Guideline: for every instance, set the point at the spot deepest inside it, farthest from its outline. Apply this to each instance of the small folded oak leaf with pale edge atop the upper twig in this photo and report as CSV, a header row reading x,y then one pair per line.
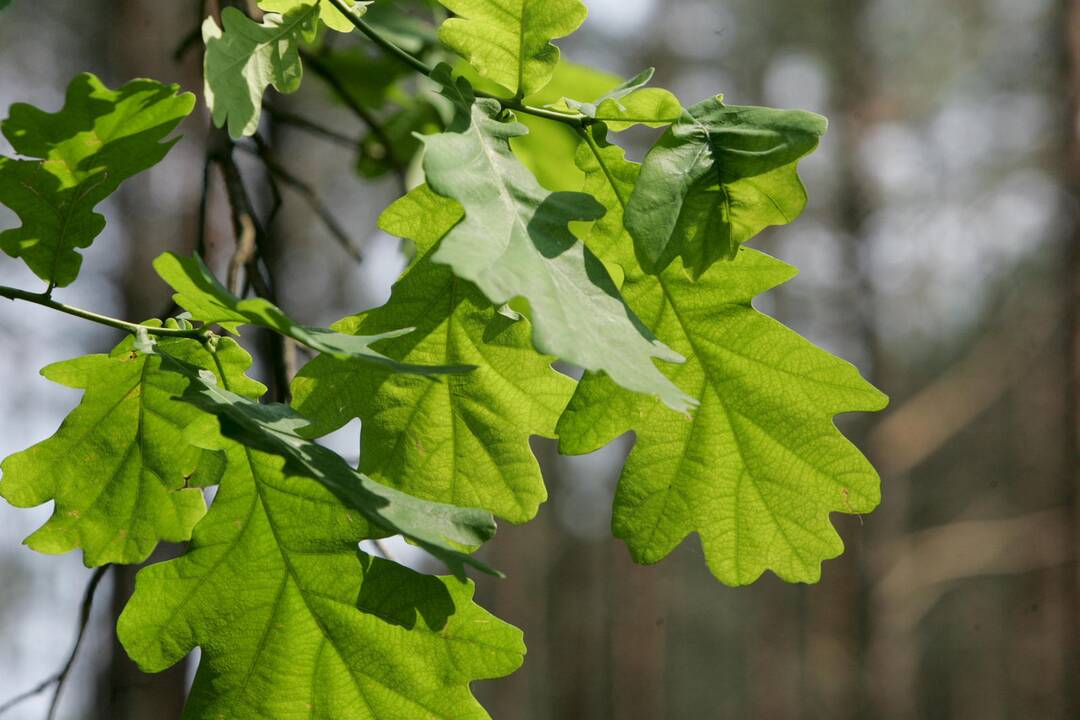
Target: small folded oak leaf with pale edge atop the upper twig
x,y
630,104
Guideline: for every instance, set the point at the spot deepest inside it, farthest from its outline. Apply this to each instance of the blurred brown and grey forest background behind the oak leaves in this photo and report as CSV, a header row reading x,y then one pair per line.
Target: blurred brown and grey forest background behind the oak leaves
x,y
940,254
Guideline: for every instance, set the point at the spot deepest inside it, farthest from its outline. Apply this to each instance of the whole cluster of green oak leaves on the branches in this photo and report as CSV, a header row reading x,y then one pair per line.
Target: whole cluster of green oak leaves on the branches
x,y
637,274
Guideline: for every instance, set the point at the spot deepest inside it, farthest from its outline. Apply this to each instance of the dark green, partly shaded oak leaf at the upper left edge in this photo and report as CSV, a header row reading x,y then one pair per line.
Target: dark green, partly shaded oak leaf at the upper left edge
x,y
75,159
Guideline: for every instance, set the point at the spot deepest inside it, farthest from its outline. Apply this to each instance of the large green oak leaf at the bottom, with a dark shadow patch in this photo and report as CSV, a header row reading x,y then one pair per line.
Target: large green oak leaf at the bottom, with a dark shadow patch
x,y
295,622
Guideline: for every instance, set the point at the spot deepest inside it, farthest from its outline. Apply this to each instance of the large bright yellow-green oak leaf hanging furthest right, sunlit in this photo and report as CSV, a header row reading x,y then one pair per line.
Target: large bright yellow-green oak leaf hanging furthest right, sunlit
x,y
761,466
